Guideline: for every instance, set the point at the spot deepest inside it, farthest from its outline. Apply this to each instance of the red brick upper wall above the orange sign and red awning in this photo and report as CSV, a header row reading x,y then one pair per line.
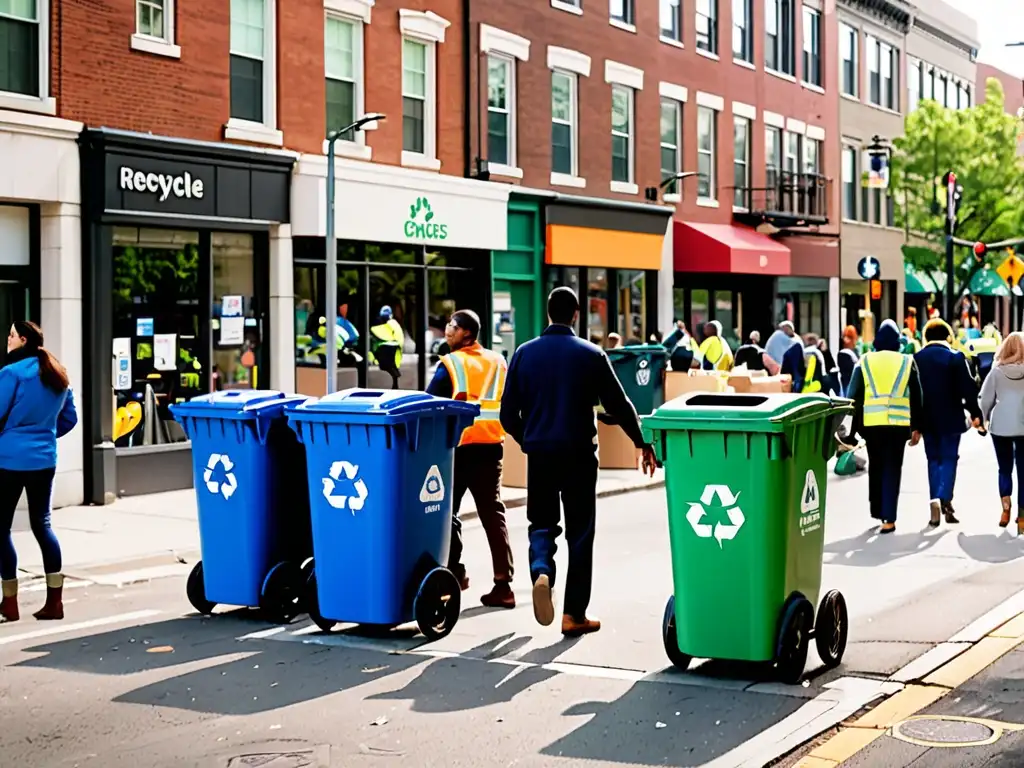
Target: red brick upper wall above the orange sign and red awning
x,y
591,34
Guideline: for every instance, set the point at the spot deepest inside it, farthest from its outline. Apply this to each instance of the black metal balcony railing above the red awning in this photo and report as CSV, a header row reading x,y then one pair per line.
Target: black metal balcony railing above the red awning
x,y
789,200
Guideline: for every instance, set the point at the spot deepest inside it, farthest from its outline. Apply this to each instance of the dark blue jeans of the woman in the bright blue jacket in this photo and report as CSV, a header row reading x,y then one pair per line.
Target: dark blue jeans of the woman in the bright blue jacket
x,y
38,486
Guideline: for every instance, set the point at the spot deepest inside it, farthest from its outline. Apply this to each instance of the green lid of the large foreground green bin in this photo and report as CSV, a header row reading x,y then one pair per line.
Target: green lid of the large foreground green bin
x,y
746,413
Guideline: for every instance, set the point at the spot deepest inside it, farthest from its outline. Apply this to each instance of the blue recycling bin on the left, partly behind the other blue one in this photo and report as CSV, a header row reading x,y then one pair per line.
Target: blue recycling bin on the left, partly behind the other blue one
x,y
250,481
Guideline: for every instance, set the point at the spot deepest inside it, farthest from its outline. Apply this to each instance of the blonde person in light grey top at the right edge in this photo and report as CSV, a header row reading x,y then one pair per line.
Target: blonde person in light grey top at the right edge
x,y
1003,411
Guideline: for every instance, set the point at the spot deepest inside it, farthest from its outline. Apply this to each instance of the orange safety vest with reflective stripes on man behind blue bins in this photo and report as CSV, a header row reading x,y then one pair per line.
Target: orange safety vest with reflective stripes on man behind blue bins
x,y
479,376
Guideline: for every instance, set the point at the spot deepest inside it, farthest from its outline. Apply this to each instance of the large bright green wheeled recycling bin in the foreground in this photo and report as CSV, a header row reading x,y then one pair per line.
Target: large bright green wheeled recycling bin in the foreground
x,y
746,484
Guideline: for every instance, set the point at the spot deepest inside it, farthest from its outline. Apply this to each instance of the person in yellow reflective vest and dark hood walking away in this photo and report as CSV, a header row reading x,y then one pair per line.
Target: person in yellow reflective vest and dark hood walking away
x,y
887,397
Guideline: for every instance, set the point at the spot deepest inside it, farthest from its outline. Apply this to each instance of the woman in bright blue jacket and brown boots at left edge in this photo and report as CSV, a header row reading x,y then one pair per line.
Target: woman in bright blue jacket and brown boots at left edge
x,y
36,408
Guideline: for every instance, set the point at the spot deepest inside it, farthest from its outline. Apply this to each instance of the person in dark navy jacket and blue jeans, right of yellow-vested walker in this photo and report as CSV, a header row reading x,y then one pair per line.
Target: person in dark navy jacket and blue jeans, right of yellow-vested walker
x,y
949,389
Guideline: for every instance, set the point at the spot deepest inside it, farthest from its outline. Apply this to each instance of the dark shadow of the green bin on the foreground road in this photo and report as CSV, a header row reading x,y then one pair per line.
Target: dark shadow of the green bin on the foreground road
x,y
669,726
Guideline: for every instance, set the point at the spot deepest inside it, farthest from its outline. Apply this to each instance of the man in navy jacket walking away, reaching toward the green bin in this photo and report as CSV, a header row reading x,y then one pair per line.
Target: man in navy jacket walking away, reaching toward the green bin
x,y
554,385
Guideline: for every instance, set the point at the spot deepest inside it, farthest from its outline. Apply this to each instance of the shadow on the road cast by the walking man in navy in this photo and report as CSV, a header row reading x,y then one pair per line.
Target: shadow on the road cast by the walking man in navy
x,y
439,688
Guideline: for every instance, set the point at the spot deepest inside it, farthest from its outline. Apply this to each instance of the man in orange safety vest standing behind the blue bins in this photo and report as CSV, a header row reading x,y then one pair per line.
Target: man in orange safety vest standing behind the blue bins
x,y
475,374
